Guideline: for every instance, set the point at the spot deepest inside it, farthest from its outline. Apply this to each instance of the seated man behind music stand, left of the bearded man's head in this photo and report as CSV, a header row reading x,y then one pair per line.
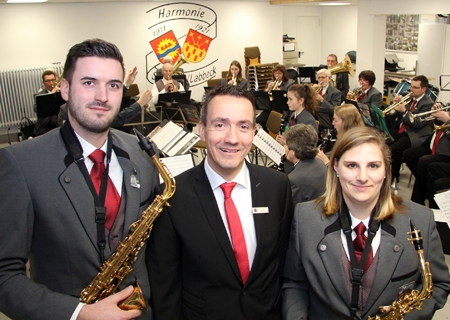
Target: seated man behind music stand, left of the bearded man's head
x,y
46,124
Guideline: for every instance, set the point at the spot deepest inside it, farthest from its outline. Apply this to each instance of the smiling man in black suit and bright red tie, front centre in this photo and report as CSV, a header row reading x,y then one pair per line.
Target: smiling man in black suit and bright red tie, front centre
x,y
198,267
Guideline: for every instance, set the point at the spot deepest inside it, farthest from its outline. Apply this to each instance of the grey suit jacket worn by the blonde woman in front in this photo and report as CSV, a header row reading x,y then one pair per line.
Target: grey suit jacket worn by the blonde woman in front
x,y
315,285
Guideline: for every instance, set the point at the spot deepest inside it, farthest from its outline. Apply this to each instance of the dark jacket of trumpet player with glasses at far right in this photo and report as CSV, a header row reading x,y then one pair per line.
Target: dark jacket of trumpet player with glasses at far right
x,y
417,130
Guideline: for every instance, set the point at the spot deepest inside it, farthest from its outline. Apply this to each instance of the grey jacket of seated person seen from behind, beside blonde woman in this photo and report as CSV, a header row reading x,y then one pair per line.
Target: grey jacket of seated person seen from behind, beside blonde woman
x,y
308,180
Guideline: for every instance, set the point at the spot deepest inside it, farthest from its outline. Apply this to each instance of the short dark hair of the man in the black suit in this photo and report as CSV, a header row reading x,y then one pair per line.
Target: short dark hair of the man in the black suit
x,y
225,90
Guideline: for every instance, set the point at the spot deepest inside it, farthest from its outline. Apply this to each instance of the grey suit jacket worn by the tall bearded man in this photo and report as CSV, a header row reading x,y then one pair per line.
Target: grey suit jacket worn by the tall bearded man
x,y
48,218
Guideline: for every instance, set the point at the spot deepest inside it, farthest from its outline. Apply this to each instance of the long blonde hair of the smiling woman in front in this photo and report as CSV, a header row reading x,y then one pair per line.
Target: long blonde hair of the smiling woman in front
x,y
388,203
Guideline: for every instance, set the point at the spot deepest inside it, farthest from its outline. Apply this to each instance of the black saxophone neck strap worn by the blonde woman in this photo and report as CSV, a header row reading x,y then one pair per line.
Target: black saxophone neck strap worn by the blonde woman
x,y
357,268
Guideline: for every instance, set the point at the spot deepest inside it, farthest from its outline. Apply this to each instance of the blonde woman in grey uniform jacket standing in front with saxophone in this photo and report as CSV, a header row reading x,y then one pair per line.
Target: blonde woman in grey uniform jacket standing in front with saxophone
x,y
328,274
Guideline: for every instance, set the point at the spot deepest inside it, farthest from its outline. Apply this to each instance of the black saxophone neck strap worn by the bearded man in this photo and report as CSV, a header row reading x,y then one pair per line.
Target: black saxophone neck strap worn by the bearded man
x,y
75,151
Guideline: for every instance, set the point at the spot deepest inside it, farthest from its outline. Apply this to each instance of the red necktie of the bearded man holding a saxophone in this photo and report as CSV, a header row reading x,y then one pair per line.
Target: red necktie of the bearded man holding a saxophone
x,y
112,198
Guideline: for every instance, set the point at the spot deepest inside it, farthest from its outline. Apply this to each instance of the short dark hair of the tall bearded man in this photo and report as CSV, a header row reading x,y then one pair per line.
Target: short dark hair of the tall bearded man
x,y
91,48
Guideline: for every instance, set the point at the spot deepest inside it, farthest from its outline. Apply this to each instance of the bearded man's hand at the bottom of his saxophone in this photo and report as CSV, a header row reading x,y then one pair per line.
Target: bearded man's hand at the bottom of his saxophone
x,y
107,308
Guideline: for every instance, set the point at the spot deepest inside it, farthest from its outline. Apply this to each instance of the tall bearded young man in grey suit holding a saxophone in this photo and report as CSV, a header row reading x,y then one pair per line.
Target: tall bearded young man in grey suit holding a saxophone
x,y
53,216
